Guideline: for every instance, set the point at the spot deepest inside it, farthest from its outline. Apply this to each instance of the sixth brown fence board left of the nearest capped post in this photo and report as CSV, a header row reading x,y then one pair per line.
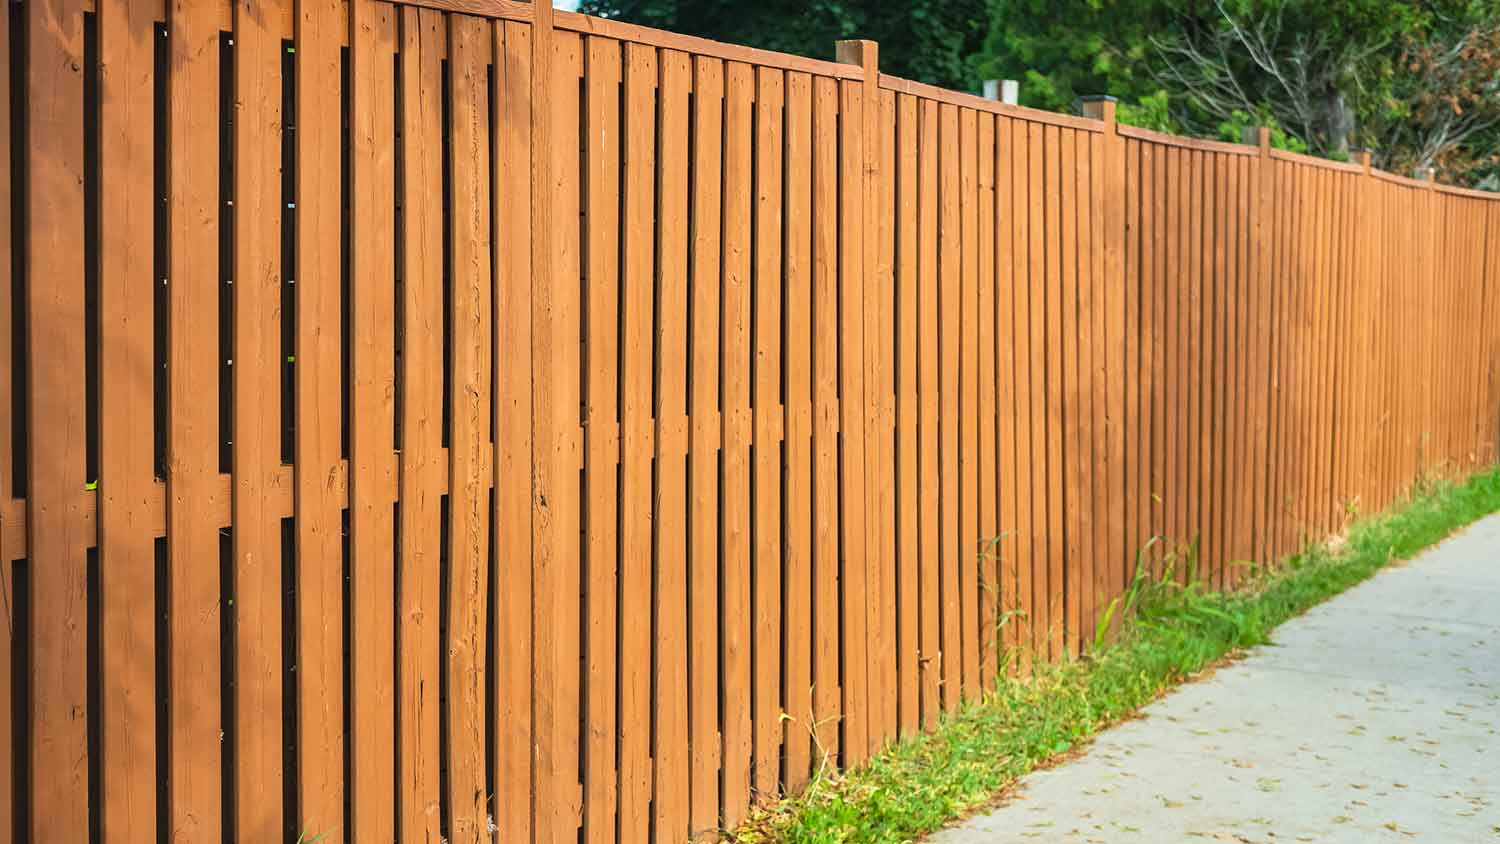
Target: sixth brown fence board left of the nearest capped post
x,y
670,753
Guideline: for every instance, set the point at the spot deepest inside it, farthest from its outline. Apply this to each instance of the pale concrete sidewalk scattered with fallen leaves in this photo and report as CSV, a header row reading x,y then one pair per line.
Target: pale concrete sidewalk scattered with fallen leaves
x,y
1375,717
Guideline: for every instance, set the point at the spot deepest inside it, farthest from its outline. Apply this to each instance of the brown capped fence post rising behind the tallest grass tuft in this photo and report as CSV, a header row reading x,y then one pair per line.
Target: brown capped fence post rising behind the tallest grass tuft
x,y
1117,564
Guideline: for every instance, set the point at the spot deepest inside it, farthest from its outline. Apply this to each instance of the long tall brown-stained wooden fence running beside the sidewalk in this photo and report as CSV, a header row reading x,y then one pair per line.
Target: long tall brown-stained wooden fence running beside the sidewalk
x,y
455,419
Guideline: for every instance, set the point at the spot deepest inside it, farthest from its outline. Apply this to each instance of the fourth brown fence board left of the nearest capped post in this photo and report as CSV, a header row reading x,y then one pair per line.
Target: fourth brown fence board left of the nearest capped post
x,y
736,639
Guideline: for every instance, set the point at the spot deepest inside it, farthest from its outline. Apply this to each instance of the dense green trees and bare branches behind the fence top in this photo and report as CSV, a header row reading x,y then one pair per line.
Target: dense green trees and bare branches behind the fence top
x,y
1417,82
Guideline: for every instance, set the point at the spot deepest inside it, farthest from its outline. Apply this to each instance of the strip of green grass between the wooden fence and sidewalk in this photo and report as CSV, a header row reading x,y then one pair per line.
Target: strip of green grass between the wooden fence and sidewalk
x,y
1169,633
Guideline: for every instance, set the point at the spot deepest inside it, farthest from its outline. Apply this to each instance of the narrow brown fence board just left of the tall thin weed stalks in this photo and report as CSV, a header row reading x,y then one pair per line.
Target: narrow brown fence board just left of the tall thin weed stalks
x,y
968,422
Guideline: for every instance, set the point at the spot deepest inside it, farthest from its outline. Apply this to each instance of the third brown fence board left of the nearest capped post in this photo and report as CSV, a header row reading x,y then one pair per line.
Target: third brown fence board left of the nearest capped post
x,y
767,358
